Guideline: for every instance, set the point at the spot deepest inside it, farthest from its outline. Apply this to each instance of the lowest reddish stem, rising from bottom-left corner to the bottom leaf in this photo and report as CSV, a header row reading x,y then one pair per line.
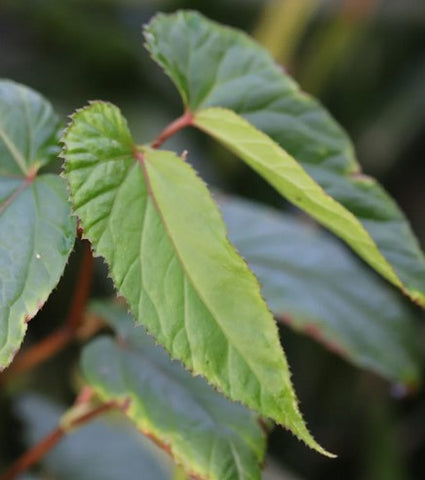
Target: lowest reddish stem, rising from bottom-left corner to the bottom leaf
x,y
34,454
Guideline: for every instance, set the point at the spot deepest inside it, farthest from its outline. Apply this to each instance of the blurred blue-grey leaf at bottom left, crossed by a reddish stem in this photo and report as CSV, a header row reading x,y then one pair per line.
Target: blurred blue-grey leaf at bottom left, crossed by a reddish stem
x,y
106,449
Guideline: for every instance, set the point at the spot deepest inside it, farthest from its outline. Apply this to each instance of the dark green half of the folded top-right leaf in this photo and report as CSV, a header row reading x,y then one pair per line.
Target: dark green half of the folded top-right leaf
x,y
213,65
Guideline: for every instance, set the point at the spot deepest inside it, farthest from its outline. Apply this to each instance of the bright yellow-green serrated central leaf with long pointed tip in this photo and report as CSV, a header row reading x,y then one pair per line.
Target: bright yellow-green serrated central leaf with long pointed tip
x,y
155,223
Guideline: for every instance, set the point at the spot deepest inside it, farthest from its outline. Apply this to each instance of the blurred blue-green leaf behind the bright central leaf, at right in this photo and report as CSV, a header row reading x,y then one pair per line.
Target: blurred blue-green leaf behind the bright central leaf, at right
x,y
316,286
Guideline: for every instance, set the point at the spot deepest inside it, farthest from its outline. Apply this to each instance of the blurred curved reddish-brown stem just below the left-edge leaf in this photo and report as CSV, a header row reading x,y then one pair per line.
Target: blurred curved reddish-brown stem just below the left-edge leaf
x,y
57,340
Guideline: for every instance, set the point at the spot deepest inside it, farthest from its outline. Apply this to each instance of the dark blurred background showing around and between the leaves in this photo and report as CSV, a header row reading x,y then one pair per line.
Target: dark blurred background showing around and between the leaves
x,y
365,60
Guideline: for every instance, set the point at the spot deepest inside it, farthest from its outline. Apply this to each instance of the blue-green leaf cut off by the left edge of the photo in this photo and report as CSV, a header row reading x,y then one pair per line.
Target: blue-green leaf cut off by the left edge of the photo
x,y
36,228
